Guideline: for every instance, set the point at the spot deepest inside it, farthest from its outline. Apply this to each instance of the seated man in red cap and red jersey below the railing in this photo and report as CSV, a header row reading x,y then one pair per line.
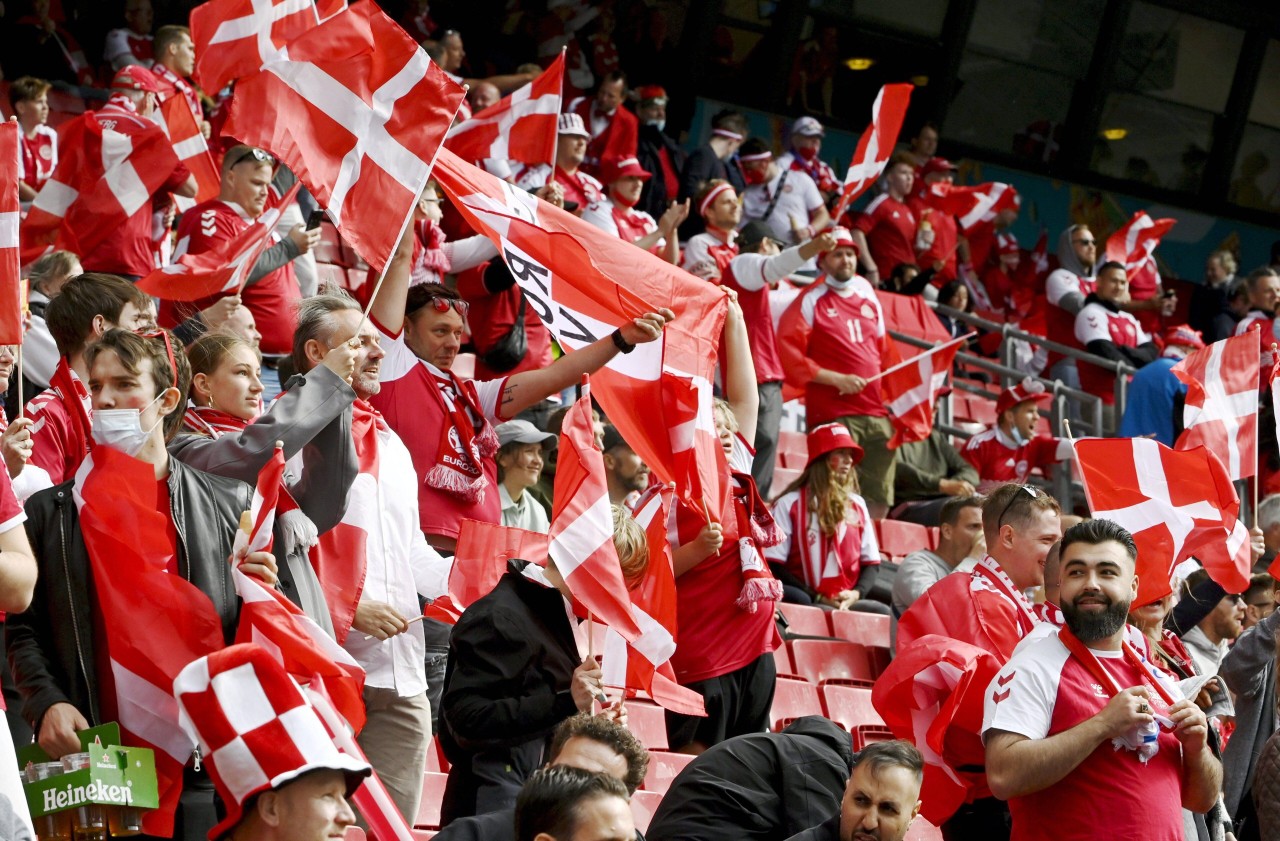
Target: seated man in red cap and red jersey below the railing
x,y
1011,450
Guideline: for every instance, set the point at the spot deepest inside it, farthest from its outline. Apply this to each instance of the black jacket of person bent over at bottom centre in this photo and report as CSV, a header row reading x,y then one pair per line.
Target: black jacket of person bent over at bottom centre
x,y
760,788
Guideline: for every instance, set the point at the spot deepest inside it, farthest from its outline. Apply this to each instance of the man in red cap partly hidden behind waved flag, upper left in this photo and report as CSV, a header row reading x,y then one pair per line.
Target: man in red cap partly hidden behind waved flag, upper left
x,y
135,98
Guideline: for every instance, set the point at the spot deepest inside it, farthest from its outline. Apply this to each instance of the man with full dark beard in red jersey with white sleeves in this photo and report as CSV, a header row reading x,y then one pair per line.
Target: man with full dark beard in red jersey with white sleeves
x,y
1080,726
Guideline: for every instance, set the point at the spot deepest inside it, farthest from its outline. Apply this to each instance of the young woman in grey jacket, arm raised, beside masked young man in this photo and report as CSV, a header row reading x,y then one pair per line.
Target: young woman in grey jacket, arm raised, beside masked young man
x,y
226,433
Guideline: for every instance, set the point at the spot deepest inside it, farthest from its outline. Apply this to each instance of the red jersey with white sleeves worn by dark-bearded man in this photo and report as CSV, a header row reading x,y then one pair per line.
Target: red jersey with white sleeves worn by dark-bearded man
x,y
1043,692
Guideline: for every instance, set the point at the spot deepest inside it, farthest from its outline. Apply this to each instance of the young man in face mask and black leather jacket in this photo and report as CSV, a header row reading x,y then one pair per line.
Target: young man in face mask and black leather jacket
x,y
52,646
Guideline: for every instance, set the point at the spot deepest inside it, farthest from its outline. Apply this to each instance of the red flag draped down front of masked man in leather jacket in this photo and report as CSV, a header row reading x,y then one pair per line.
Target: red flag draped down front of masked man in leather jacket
x,y
131,559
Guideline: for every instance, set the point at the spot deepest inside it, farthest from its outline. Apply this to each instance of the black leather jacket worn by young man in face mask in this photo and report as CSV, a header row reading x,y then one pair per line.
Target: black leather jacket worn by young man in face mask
x,y
52,645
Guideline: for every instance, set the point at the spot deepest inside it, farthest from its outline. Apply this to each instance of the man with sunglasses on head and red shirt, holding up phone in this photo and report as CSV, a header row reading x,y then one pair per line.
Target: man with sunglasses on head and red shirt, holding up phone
x,y
272,292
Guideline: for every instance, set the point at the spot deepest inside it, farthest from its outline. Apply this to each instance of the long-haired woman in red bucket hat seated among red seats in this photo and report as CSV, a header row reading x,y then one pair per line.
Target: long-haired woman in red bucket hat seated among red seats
x,y
829,555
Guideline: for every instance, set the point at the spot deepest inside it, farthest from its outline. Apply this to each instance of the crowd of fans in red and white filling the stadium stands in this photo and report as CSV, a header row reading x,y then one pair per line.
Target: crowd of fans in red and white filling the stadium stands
x,y
388,432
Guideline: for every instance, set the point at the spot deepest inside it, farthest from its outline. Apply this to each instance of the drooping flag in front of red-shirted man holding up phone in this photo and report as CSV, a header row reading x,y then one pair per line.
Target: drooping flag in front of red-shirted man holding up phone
x,y
218,272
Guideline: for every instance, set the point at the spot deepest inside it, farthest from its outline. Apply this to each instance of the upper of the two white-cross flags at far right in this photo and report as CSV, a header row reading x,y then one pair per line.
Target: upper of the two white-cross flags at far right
x,y
1222,409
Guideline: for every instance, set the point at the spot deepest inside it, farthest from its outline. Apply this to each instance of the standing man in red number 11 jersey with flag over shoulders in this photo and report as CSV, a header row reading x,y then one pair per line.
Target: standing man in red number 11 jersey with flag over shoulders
x,y
830,341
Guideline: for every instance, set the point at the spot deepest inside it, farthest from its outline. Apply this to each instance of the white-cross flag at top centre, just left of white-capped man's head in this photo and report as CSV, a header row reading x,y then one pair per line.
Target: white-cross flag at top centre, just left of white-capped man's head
x,y
520,127
